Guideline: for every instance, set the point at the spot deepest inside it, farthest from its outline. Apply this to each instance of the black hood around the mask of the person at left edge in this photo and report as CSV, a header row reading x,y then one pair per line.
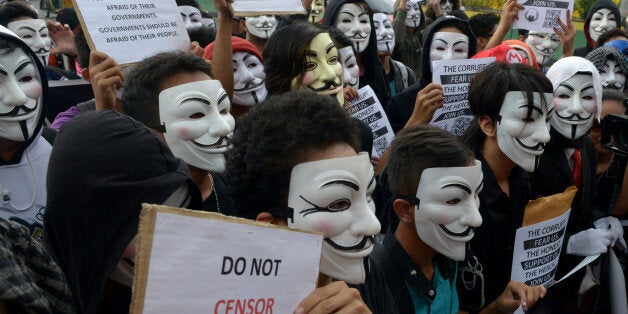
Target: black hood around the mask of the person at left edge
x,y
8,39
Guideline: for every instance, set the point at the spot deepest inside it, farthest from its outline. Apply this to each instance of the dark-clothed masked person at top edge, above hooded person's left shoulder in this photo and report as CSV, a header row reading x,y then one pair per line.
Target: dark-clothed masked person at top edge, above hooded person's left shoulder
x,y
408,20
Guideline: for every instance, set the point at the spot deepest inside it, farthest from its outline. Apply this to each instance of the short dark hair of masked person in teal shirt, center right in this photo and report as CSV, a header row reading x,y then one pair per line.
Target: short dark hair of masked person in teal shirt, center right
x,y
417,148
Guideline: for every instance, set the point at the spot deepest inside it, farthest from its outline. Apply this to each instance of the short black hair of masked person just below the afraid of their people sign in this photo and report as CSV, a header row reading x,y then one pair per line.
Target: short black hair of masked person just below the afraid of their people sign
x,y
140,96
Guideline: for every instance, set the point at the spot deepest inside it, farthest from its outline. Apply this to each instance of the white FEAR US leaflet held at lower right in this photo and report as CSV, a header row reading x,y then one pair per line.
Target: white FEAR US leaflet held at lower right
x,y
537,251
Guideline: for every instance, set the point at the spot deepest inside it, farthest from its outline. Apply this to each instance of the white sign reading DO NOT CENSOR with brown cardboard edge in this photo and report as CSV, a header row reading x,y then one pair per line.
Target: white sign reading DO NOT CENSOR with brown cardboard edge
x,y
198,262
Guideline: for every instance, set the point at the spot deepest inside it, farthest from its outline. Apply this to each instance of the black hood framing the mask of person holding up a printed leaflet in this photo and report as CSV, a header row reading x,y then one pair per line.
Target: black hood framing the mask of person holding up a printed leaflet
x,y
428,34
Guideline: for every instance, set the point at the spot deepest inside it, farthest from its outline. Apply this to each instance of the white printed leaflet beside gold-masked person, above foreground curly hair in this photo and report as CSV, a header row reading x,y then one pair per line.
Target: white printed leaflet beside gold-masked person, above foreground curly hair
x,y
367,108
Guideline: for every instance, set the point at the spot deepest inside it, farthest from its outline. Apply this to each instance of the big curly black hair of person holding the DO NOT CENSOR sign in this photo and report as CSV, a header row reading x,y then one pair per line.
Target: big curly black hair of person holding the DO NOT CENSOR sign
x,y
277,135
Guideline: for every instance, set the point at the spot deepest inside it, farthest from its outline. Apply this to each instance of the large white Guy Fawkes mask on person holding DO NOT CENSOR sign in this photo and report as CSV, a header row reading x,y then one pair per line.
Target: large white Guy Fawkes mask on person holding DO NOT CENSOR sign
x,y
333,196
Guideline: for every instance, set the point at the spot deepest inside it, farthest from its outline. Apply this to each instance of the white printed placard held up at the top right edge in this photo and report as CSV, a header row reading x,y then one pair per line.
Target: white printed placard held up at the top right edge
x,y
540,15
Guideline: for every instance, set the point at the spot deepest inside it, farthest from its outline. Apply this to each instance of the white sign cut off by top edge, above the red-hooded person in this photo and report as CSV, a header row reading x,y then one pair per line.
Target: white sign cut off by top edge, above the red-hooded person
x,y
266,7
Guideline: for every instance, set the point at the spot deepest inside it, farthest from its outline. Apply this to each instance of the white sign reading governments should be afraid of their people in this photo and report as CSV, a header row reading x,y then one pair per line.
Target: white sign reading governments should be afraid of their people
x,y
129,31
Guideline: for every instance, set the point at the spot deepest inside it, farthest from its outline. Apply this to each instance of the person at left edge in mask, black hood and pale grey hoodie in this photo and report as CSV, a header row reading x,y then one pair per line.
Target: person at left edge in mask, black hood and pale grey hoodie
x,y
25,151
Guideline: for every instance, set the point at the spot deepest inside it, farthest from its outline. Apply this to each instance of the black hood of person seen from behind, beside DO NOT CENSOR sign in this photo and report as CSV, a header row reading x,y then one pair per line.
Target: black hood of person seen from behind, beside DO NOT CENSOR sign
x,y
102,167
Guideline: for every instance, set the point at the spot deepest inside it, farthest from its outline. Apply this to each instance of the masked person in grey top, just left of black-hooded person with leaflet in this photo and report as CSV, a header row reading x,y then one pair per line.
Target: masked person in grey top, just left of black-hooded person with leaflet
x,y
398,76
